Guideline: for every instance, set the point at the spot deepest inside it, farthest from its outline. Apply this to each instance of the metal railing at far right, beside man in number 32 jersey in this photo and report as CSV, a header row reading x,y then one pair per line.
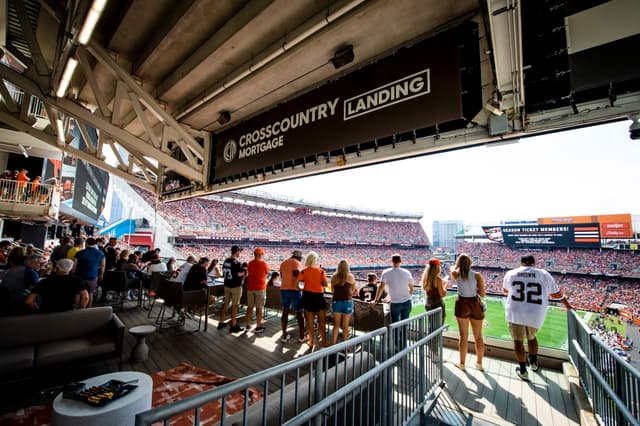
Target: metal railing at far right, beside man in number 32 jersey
x,y
611,384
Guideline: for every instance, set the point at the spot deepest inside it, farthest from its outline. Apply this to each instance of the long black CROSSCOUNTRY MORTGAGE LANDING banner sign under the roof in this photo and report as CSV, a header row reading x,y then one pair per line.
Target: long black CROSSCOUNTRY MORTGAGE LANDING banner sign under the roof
x,y
417,87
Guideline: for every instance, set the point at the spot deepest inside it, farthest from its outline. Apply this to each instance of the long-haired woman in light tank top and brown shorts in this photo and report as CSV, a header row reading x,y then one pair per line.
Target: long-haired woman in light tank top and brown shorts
x,y
469,308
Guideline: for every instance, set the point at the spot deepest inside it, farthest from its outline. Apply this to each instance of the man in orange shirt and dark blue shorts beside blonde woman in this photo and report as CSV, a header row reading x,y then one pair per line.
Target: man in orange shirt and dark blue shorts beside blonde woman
x,y
291,294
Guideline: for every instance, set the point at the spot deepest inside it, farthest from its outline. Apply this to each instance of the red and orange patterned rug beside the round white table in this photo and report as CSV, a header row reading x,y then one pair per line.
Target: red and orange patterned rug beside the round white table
x,y
168,386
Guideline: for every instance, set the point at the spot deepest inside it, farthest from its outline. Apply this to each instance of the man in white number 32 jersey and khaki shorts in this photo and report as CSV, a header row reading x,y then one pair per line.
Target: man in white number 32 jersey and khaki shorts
x,y
528,290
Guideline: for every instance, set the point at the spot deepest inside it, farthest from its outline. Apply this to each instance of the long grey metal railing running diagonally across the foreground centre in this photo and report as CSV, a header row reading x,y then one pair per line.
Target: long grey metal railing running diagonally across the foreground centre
x,y
385,377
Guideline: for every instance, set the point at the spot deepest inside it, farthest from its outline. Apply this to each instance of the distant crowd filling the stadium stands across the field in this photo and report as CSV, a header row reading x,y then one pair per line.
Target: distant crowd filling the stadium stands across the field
x,y
591,278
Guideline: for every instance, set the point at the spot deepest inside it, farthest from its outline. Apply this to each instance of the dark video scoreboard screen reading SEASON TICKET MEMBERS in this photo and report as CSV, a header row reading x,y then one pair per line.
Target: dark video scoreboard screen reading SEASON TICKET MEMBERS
x,y
585,235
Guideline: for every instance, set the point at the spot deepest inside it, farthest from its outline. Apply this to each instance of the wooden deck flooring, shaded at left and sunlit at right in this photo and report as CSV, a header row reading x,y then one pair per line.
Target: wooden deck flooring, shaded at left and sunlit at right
x,y
496,396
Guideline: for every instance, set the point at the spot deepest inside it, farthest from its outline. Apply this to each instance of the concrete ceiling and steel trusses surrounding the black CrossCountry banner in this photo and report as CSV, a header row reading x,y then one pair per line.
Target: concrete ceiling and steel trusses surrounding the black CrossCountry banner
x,y
158,73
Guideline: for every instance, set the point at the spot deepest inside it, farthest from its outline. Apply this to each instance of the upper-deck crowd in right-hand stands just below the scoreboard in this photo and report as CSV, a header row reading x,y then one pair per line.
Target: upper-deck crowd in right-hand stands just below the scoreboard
x,y
583,261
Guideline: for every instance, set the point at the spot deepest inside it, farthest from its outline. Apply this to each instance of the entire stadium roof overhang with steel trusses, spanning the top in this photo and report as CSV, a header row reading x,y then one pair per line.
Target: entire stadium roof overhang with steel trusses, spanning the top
x,y
165,81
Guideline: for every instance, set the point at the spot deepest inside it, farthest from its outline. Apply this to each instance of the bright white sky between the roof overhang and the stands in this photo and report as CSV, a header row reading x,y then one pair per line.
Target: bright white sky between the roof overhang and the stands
x,y
579,172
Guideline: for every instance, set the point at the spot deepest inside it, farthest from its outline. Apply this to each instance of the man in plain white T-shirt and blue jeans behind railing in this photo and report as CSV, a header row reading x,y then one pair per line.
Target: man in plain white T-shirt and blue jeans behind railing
x,y
399,284
